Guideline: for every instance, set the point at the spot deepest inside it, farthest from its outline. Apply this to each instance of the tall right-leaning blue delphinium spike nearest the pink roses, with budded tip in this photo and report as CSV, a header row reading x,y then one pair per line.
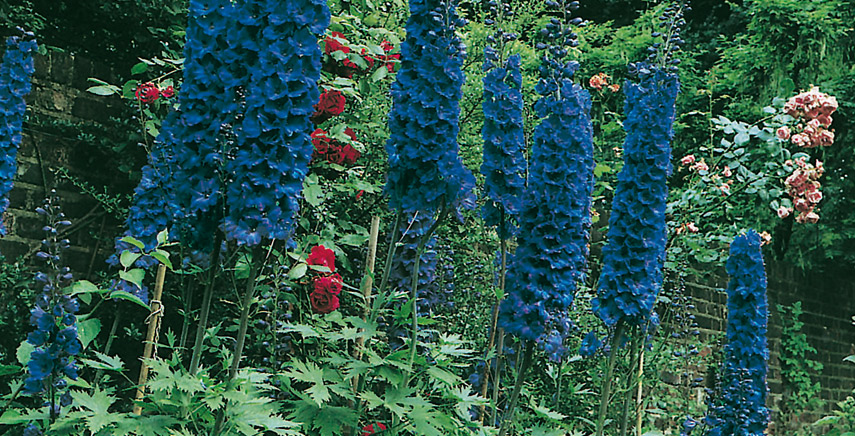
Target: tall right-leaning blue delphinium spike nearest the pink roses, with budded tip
x,y
634,257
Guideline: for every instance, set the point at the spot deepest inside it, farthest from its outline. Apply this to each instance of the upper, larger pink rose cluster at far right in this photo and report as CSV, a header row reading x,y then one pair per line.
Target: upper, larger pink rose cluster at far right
x,y
813,109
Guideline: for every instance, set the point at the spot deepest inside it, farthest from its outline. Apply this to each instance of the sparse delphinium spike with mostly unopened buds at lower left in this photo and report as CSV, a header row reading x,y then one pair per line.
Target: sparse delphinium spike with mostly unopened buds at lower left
x,y
55,338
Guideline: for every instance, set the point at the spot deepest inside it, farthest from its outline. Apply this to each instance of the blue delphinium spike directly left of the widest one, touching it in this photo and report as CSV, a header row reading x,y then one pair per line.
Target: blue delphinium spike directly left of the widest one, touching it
x,y
208,104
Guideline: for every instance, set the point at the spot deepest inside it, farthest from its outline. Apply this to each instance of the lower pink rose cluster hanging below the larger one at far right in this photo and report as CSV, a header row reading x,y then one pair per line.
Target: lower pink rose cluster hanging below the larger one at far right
x,y
804,188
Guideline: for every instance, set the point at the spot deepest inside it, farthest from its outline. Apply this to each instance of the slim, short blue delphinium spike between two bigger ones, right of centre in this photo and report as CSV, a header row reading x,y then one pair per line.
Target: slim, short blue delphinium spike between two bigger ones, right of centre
x,y
504,141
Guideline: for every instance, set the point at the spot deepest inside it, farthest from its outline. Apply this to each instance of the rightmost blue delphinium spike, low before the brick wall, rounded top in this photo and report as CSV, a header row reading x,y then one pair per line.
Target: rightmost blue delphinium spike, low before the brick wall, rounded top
x,y
741,407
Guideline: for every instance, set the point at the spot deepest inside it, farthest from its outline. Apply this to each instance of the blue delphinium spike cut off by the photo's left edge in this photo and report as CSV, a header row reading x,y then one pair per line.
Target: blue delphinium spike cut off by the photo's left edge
x,y
15,74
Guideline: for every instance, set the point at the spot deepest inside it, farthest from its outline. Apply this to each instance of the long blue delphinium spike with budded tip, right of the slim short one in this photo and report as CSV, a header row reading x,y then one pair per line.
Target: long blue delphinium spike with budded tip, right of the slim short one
x,y
556,212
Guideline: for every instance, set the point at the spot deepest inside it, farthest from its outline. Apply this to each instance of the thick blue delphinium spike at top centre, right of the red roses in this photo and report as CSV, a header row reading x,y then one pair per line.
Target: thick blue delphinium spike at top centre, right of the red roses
x,y
424,168
